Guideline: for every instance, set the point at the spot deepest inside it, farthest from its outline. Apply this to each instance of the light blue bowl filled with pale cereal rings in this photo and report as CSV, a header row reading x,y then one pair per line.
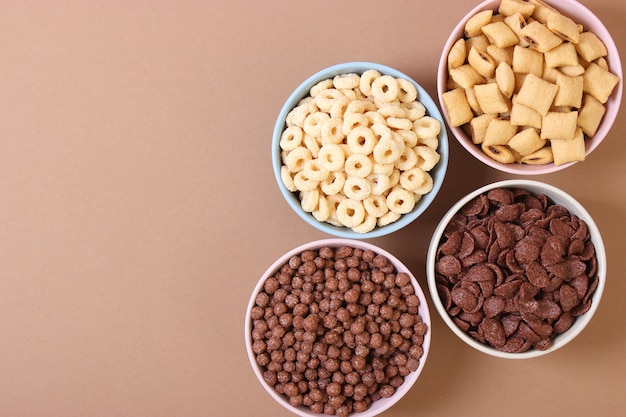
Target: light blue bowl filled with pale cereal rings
x,y
363,140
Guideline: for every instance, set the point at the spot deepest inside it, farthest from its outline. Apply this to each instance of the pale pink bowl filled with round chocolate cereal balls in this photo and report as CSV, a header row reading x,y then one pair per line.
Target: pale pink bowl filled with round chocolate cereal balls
x,y
322,352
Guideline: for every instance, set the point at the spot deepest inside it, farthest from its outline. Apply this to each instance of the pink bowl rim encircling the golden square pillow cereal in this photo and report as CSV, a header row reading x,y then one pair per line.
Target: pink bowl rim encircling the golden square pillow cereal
x,y
580,14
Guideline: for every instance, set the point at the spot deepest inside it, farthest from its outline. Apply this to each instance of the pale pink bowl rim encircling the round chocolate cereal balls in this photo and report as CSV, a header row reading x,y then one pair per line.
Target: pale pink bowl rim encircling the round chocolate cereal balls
x,y
423,310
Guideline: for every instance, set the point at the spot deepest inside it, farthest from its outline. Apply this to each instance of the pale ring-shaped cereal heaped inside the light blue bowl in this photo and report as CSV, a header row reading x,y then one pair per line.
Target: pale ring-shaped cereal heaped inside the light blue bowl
x,y
359,149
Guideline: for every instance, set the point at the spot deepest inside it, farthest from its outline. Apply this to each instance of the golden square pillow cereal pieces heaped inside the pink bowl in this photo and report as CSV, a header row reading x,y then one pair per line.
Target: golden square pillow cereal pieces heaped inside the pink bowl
x,y
528,84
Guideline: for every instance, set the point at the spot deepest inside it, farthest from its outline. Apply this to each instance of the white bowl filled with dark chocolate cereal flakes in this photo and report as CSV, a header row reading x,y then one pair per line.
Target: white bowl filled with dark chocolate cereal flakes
x,y
528,303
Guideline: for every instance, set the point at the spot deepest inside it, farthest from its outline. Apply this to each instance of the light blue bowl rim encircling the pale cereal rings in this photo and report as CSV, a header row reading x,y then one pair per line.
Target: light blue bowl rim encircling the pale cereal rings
x,y
293,198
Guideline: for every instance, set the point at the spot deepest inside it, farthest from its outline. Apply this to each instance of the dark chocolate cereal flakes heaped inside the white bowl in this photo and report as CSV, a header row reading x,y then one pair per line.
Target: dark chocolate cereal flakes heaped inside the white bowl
x,y
514,270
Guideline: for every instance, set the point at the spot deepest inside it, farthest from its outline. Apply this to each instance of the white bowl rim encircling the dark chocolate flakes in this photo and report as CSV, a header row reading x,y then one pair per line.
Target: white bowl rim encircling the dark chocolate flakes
x,y
573,206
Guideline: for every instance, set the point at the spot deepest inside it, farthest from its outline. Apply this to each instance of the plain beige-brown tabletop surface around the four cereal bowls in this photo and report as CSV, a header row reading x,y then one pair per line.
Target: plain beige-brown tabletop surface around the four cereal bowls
x,y
138,207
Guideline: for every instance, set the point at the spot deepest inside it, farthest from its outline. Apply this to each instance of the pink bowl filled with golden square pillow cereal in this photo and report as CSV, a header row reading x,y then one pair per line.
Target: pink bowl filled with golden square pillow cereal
x,y
526,147
